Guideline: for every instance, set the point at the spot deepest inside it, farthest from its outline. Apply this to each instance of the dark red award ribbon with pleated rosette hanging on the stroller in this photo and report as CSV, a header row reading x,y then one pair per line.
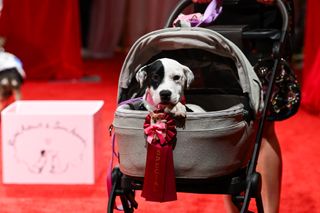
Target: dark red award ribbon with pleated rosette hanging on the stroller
x,y
159,180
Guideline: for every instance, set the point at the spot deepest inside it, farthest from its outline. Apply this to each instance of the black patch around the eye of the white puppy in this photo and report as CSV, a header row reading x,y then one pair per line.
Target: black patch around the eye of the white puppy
x,y
155,74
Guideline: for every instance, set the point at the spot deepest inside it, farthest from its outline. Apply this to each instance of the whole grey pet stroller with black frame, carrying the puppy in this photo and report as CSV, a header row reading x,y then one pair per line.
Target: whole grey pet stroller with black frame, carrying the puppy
x,y
217,151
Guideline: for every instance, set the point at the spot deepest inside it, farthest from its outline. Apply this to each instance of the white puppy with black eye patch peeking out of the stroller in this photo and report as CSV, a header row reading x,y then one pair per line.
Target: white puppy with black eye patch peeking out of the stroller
x,y
165,80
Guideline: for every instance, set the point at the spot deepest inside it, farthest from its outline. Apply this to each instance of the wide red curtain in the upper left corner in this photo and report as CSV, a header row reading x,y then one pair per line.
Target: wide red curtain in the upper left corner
x,y
45,35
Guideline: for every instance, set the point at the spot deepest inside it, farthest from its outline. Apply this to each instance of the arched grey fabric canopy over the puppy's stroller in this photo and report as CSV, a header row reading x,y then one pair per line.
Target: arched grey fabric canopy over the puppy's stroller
x,y
168,39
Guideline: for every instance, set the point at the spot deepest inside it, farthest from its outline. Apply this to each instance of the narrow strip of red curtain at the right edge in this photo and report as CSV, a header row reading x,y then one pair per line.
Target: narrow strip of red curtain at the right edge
x,y
311,70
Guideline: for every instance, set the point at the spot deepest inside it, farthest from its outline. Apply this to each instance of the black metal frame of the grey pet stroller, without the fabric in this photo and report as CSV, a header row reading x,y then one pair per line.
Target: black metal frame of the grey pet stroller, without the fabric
x,y
244,184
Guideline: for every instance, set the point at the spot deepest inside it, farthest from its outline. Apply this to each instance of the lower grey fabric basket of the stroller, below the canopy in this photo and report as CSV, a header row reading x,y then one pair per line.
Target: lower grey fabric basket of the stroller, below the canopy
x,y
212,144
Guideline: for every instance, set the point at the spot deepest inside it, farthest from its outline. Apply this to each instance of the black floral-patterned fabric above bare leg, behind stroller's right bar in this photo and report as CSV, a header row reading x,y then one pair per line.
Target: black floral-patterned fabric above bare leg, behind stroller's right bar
x,y
286,94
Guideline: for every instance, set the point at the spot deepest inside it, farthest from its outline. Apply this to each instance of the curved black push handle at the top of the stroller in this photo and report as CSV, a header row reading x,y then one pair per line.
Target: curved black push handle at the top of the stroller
x,y
183,4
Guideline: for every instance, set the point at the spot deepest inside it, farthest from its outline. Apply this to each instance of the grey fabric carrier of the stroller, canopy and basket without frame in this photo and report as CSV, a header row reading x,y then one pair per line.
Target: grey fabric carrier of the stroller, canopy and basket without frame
x,y
213,143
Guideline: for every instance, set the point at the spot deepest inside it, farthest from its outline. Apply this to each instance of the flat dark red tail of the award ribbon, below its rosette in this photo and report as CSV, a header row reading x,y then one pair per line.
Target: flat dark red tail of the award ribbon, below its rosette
x,y
159,180
